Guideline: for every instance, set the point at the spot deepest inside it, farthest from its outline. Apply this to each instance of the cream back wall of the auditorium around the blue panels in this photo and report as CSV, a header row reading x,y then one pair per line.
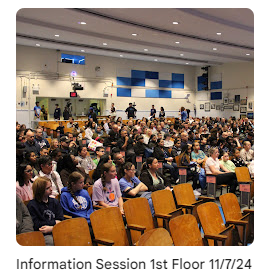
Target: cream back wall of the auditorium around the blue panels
x,y
235,78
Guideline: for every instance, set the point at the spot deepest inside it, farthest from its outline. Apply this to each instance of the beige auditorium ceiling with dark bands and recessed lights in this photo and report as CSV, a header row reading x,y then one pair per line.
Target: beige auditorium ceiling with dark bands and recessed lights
x,y
193,41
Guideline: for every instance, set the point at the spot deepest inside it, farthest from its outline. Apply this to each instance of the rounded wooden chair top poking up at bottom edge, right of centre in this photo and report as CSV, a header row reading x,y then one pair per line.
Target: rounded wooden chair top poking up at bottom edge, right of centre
x,y
156,237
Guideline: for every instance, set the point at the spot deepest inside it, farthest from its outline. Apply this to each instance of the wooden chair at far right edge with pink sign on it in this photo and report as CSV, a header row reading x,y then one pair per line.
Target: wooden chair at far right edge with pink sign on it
x,y
246,185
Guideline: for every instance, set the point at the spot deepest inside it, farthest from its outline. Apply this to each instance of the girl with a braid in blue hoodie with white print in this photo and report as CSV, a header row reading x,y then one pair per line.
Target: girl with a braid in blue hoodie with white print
x,y
74,200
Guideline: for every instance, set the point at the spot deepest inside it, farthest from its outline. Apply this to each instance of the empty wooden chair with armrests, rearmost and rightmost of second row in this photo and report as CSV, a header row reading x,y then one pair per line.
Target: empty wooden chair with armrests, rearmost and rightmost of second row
x,y
185,198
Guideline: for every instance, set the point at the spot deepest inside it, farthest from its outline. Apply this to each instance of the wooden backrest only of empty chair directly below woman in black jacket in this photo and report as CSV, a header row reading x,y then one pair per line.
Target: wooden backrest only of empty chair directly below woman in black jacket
x,y
163,202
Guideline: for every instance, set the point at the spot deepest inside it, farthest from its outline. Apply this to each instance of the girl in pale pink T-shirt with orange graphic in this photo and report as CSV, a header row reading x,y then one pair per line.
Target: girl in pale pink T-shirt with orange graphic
x,y
106,190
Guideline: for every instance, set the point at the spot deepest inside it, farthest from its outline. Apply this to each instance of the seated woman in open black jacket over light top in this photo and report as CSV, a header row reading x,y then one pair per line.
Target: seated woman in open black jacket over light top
x,y
152,178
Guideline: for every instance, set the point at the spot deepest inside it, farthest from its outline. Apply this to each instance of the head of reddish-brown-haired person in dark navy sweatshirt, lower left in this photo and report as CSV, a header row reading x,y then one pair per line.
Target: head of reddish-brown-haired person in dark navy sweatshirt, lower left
x,y
42,188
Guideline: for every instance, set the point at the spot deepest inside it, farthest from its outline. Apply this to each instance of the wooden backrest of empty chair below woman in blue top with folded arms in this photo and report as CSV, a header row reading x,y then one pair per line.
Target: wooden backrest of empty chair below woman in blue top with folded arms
x,y
137,211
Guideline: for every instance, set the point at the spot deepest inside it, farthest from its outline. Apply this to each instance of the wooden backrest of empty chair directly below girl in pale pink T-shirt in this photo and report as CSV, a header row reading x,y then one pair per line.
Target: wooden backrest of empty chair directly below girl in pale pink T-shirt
x,y
108,223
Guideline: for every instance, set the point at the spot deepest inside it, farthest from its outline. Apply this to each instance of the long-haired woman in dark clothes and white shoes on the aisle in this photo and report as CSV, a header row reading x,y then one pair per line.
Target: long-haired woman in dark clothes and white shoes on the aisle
x,y
192,173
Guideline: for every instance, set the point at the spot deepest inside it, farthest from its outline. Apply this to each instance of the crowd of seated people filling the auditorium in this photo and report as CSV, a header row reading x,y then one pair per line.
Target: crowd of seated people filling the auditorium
x,y
56,174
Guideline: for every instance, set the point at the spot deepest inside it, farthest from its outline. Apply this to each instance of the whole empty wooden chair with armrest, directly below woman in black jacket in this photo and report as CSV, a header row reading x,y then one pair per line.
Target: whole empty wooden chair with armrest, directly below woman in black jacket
x,y
164,203
